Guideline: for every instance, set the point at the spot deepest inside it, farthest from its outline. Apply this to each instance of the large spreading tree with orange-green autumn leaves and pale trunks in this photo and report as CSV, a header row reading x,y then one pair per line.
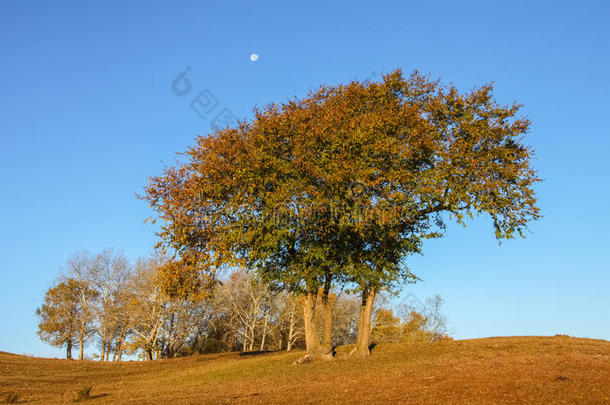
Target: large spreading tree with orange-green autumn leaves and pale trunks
x,y
342,185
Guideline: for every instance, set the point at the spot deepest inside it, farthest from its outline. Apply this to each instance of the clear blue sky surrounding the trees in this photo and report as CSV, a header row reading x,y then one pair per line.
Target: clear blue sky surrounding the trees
x,y
87,114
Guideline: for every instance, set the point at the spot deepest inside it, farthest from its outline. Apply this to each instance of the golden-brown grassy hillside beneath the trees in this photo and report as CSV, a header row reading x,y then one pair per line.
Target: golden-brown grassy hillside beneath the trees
x,y
539,370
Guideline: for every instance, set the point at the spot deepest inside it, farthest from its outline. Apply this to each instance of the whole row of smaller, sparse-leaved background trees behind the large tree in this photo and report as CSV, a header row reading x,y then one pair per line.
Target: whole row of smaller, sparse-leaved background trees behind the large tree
x,y
119,307
